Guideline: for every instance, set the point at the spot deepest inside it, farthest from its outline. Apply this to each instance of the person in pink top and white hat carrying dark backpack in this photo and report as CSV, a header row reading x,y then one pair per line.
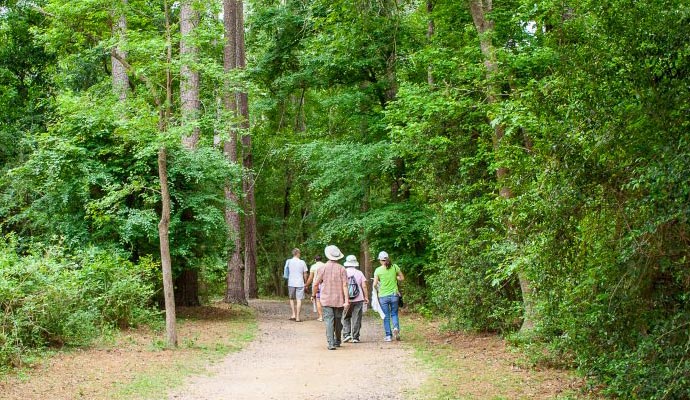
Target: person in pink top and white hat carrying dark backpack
x,y
357,292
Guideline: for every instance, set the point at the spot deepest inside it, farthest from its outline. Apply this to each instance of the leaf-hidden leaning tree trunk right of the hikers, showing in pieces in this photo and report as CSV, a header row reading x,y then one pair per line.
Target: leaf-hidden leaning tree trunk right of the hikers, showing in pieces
x,y
479,9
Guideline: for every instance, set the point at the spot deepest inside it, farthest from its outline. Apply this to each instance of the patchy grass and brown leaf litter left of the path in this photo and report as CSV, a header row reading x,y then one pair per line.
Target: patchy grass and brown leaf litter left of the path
x,y
136,363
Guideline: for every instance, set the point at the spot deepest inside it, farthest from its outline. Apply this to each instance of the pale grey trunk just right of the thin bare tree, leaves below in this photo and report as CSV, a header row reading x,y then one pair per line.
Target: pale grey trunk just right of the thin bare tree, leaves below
x,y
189,77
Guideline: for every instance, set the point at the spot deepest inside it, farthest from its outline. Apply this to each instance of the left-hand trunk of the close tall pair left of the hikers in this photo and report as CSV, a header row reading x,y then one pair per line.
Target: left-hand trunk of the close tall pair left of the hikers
x,y
234,292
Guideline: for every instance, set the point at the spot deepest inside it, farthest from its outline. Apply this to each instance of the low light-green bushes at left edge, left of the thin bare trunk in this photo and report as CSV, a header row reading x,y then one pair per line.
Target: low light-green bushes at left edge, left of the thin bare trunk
x,y
51,298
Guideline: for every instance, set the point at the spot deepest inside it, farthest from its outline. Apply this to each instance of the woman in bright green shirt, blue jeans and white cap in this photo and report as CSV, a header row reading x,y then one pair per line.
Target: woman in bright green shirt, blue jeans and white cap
x,y
386,278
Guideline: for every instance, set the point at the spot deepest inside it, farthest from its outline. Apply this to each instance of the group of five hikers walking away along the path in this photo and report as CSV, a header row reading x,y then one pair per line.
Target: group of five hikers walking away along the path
x,y
340,293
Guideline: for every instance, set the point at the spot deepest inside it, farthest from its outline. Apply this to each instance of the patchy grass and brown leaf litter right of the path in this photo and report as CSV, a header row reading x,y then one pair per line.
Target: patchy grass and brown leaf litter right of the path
x,y
465,366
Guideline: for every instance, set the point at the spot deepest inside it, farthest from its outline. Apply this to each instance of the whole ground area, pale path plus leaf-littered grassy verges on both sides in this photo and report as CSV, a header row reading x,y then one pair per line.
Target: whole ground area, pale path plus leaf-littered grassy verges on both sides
x,y
225,354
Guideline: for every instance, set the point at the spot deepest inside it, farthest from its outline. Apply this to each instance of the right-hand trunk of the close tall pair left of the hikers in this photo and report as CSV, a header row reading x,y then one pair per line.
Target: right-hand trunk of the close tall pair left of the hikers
x,y
250,254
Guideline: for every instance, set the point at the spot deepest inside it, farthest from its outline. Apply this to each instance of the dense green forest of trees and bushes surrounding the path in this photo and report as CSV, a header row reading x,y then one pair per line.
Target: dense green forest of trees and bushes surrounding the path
x,y
526,163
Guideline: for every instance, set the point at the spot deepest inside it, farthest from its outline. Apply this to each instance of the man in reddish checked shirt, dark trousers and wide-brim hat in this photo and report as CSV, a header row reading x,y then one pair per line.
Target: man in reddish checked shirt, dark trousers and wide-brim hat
x,y
331,282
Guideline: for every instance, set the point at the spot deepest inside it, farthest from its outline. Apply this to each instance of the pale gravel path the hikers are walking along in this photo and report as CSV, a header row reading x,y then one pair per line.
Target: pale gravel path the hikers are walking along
x,y
289,360
